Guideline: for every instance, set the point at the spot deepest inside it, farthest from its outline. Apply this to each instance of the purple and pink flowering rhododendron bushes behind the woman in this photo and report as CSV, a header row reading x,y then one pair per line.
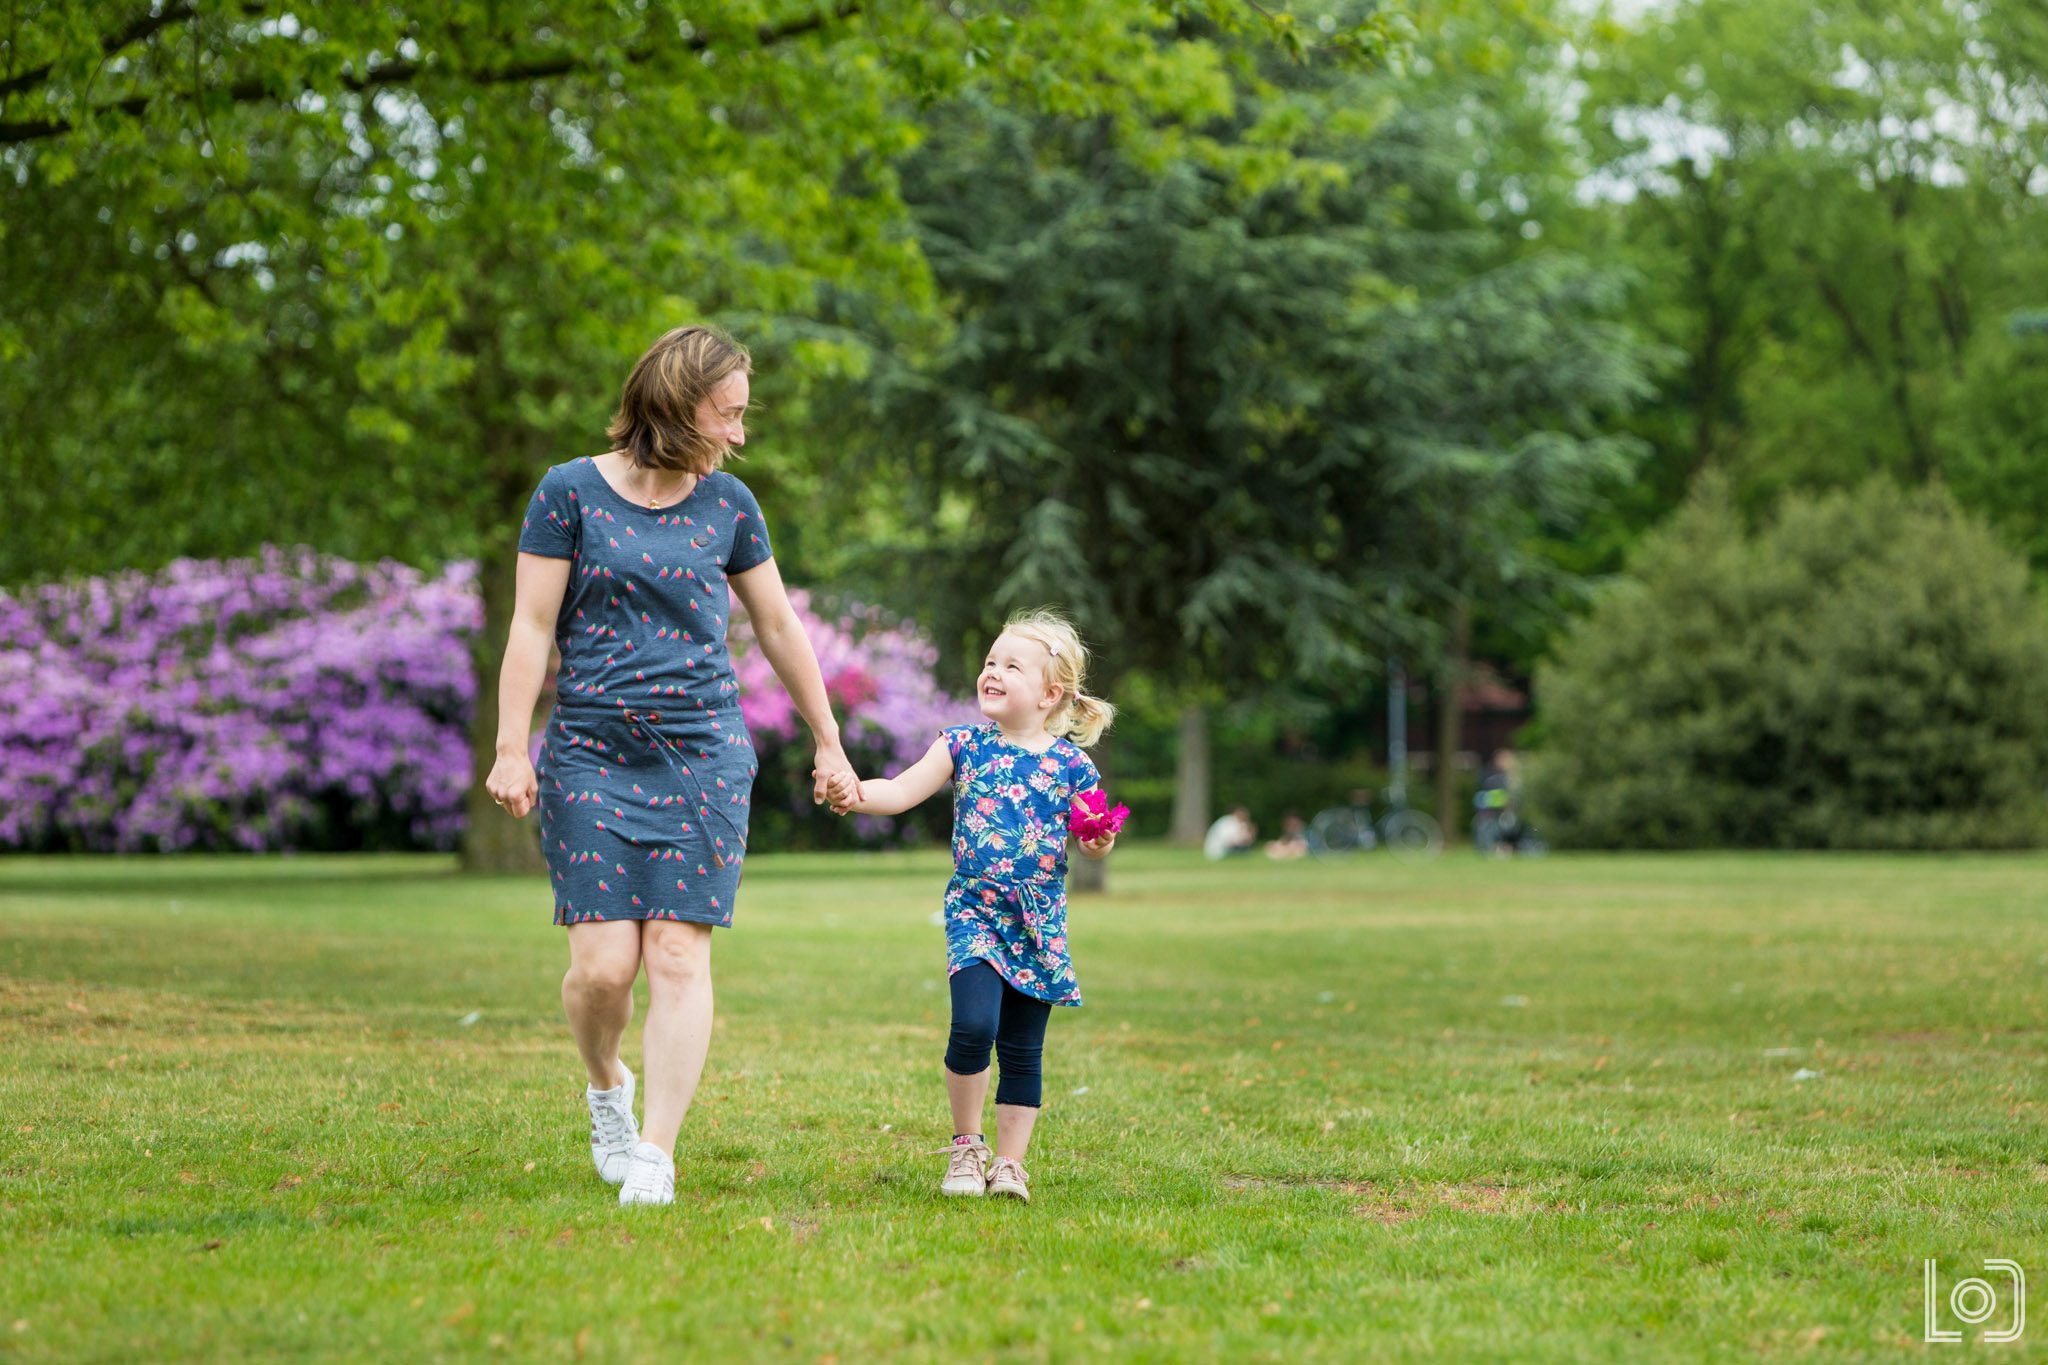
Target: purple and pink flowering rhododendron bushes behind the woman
x,y
298,701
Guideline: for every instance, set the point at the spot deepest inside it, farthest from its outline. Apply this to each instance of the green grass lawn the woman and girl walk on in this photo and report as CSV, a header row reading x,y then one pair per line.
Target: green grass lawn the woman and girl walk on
x,y
1551,1110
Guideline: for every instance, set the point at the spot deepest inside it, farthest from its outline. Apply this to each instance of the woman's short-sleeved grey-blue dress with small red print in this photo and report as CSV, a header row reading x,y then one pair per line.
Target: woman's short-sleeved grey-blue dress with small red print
x,y
646,766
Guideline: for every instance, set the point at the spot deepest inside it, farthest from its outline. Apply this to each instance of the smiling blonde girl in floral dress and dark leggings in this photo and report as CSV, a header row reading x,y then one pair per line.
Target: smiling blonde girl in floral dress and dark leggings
x,y
1007,908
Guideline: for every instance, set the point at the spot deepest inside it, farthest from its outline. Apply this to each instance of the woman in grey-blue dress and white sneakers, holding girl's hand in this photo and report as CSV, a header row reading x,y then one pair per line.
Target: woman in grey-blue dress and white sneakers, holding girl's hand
x,y
646,766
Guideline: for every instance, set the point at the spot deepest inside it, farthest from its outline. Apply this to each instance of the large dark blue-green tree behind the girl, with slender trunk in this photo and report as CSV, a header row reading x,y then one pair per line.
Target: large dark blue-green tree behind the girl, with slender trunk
x,y
1230,406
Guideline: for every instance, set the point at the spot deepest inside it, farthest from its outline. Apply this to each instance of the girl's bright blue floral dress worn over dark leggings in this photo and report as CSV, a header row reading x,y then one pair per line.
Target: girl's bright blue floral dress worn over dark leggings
x,y
1007,904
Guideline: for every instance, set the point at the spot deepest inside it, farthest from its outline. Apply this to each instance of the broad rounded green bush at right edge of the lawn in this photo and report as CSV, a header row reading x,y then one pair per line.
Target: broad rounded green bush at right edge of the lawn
x,y
1867,670
